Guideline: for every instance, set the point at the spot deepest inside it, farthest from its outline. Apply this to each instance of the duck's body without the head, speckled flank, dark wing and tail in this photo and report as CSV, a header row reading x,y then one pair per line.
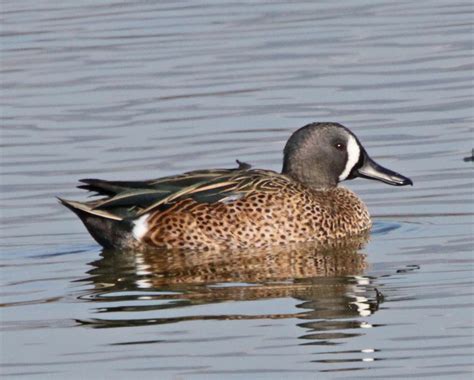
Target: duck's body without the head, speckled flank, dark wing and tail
x,y
235,208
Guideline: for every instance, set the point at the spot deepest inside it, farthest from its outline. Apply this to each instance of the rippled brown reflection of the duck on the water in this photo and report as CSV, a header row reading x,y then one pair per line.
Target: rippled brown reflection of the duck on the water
x,y
328,282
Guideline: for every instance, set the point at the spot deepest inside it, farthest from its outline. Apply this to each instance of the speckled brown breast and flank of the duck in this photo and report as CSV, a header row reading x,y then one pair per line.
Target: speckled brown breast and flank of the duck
x,y
286,213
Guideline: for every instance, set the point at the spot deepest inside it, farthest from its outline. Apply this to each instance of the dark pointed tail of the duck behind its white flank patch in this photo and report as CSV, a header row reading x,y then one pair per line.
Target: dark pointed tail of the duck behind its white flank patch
x,y
109,230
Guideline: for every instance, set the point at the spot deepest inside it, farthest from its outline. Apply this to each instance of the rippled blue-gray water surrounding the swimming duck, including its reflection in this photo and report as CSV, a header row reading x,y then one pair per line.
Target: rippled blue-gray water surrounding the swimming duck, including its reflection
x,y
139,90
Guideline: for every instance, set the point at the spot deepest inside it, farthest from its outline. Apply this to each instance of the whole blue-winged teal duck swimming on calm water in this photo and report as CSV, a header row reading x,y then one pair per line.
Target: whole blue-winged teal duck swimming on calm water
x,y
242,207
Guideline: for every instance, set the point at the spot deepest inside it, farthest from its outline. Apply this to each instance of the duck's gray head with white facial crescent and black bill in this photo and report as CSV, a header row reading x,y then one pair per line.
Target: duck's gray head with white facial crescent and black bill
x,y
320,155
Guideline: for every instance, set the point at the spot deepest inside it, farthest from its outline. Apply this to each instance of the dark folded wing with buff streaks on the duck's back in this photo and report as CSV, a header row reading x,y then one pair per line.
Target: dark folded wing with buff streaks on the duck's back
x,y
133,199
